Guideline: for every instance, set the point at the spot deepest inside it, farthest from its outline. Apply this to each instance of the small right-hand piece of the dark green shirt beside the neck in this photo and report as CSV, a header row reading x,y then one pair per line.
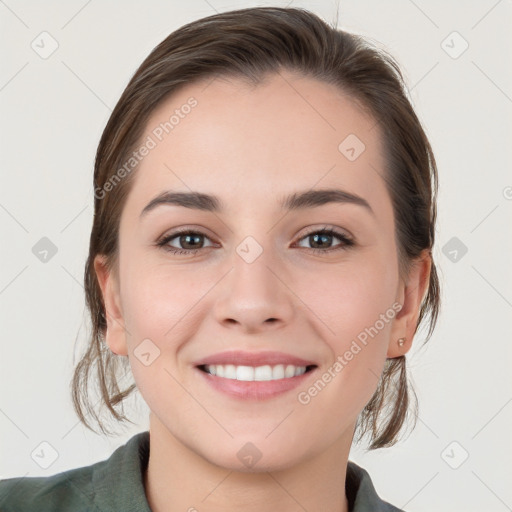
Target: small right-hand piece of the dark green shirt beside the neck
x,y
361,493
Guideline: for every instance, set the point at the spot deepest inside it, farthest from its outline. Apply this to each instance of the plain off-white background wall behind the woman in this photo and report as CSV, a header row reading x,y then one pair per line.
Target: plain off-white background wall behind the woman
x,y
53,112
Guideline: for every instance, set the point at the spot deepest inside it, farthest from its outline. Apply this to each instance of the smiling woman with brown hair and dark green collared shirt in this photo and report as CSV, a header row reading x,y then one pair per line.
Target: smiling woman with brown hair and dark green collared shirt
x,y
261,259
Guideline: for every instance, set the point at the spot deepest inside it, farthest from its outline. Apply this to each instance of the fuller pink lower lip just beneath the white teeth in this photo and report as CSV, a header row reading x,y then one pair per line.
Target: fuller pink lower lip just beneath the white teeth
x,y
254,390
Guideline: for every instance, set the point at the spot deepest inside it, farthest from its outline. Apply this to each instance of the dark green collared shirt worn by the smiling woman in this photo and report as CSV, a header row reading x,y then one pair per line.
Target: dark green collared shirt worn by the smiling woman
x,y
116,485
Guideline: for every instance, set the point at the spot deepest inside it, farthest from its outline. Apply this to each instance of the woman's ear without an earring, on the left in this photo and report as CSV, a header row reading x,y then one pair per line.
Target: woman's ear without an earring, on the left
x,y
115,337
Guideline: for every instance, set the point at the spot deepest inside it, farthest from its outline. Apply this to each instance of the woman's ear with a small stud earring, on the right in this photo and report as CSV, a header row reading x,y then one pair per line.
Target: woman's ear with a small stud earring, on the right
x,y
410,295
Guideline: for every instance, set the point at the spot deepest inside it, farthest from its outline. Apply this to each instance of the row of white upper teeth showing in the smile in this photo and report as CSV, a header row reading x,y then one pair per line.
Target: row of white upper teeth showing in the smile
x,y
259,373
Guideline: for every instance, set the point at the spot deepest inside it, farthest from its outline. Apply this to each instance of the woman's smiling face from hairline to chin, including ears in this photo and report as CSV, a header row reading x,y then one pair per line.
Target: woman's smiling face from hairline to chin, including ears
x,y
255,275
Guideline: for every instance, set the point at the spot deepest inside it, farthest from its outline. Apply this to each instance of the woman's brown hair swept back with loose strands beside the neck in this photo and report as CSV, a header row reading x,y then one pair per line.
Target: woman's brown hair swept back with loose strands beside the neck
x,y
249,44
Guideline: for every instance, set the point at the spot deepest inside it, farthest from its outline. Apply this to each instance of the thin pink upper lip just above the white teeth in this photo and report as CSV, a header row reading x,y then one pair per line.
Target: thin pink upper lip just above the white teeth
x,y
242,358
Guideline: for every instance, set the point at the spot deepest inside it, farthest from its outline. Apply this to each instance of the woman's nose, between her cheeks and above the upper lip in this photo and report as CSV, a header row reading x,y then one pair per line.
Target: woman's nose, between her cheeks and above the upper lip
x,y
254,297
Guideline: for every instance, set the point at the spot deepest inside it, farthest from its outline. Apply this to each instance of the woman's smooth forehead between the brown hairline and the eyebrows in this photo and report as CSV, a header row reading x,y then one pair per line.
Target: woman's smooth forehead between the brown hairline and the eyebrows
x,y
243,142
